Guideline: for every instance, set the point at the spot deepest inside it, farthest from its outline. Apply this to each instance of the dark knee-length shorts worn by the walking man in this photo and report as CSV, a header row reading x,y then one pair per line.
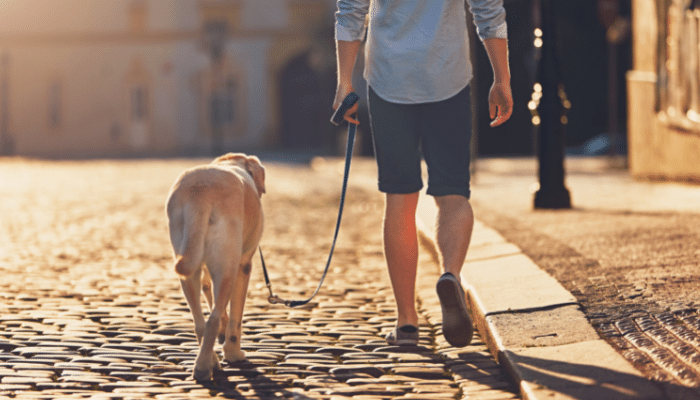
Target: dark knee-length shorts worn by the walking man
x,y
440,132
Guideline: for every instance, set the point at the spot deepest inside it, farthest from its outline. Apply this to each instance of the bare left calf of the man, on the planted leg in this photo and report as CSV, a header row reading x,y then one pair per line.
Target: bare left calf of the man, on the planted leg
x,y
401,252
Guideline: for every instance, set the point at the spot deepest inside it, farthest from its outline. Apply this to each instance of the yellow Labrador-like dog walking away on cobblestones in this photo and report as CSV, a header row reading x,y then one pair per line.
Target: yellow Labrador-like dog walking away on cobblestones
x,y
215,219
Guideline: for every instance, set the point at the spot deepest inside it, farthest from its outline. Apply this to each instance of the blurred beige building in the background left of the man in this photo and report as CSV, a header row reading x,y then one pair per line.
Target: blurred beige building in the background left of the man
x,y
158,77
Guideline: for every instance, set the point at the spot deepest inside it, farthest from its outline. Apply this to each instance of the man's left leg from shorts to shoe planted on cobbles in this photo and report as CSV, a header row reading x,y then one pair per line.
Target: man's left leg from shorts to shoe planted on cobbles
x,y
397,150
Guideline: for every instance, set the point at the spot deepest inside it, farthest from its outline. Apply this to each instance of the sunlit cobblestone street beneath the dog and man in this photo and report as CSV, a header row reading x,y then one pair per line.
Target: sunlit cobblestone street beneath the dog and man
x,y
90,306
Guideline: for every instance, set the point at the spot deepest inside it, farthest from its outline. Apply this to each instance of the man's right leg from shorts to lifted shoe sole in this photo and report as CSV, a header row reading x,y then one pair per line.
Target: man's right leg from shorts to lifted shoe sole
x,y
446,139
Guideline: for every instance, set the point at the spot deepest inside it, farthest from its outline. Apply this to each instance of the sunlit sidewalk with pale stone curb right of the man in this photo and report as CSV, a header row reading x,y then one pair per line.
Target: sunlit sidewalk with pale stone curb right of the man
x,y
541,332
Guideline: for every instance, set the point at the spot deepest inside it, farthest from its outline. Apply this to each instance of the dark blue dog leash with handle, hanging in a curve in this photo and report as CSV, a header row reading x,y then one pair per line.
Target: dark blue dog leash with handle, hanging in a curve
x,y
337,118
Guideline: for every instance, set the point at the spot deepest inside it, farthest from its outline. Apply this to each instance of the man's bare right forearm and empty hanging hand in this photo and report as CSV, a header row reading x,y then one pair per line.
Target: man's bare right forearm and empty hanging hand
x,y
500,96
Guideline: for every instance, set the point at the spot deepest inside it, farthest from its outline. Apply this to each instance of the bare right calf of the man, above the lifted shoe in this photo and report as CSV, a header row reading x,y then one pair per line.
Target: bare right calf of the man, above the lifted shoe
x,y
455,222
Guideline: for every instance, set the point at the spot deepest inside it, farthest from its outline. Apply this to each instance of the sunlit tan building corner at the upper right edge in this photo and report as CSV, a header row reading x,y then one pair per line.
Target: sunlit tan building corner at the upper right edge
x,y
664,90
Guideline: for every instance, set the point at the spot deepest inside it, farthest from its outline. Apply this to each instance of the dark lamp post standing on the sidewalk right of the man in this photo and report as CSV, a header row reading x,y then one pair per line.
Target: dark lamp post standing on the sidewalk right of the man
x,y
551,110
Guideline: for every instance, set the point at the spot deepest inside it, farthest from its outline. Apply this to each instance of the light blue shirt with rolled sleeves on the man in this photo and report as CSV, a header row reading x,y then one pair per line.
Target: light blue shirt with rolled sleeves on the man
x,y
417,51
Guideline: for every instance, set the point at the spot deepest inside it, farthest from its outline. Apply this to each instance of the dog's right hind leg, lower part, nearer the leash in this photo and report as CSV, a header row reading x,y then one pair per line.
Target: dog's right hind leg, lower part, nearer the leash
x,y
232,345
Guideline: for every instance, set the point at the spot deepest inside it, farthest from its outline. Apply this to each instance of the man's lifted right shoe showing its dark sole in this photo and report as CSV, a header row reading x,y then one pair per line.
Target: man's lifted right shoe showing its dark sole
x,y
456,324
